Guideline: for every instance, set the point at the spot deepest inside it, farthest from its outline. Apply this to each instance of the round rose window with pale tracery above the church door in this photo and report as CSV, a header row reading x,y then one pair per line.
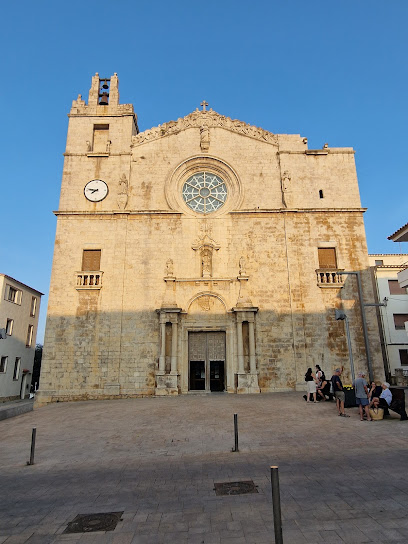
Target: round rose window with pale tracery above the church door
x,y
204,192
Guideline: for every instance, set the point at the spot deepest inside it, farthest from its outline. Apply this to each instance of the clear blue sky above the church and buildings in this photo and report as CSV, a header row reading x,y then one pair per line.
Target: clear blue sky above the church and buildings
x,y
333,71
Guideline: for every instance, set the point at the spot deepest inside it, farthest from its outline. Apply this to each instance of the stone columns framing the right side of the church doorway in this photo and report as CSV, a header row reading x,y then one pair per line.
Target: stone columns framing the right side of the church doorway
x,y
247,382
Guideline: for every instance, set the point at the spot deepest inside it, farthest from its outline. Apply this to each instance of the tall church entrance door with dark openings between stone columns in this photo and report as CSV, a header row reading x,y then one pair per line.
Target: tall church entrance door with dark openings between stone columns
x,y
206,361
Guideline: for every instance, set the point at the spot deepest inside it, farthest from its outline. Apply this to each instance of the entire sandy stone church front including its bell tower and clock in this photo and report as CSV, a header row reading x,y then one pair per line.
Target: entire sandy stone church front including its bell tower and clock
x,y
202,255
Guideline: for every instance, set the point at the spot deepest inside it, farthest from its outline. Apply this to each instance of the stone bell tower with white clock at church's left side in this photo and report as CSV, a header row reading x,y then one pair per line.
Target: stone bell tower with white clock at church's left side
x,y
95,188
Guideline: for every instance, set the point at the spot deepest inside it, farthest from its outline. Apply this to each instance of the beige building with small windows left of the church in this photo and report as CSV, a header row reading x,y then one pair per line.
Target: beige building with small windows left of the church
x,y
19,309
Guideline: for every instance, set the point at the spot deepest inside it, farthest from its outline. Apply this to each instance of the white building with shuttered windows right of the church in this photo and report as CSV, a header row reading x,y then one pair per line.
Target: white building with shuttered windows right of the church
x,y
394,315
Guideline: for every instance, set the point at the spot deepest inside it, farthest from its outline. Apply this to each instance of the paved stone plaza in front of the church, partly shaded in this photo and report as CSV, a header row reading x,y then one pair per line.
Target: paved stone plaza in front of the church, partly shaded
x,y
157,460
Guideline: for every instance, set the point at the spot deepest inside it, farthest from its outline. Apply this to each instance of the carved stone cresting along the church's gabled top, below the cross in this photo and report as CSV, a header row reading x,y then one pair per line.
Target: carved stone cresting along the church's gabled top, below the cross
x,y
209,119
